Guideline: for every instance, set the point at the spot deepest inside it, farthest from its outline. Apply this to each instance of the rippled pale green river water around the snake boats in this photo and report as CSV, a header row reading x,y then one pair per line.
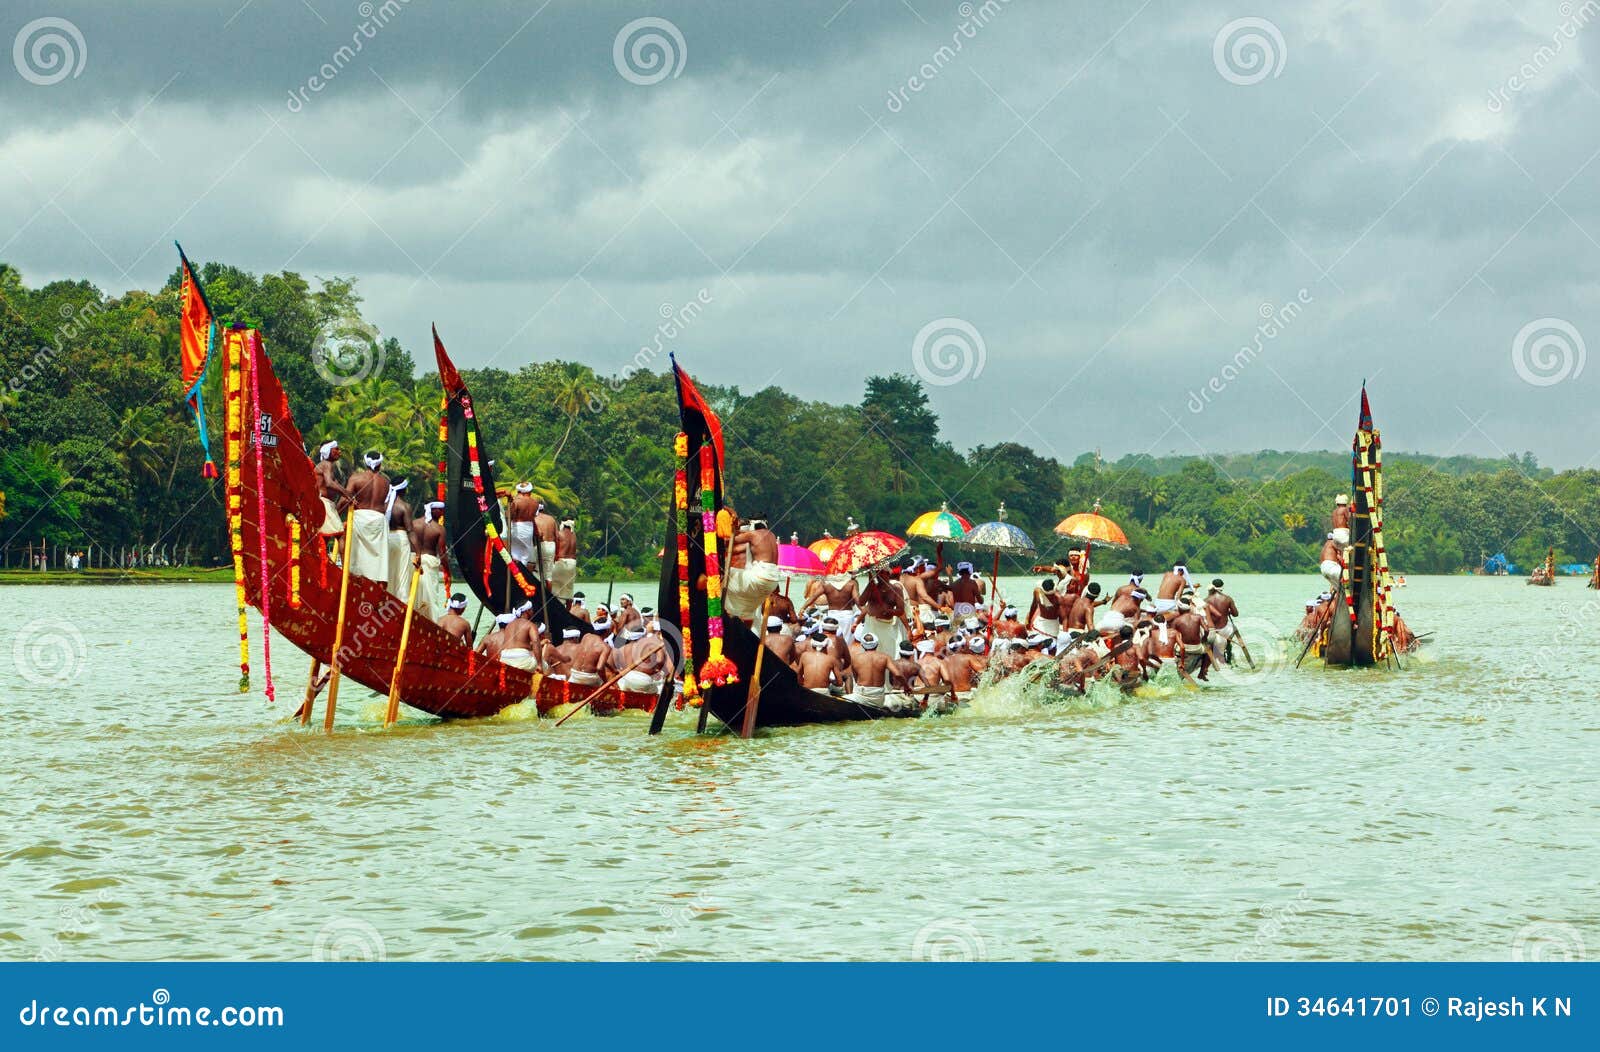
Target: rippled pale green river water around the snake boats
x,y
1446,811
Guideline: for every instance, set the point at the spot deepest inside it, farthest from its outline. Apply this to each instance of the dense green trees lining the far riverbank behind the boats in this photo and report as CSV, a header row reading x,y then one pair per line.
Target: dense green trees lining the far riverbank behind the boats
x,y
95,448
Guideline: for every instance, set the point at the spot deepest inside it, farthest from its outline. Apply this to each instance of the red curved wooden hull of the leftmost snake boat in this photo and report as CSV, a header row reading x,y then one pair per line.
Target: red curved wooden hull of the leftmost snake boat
x,y
287,575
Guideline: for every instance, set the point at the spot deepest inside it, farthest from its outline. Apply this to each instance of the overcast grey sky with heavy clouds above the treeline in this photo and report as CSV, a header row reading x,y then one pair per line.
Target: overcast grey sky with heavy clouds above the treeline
x,y
1143,226
